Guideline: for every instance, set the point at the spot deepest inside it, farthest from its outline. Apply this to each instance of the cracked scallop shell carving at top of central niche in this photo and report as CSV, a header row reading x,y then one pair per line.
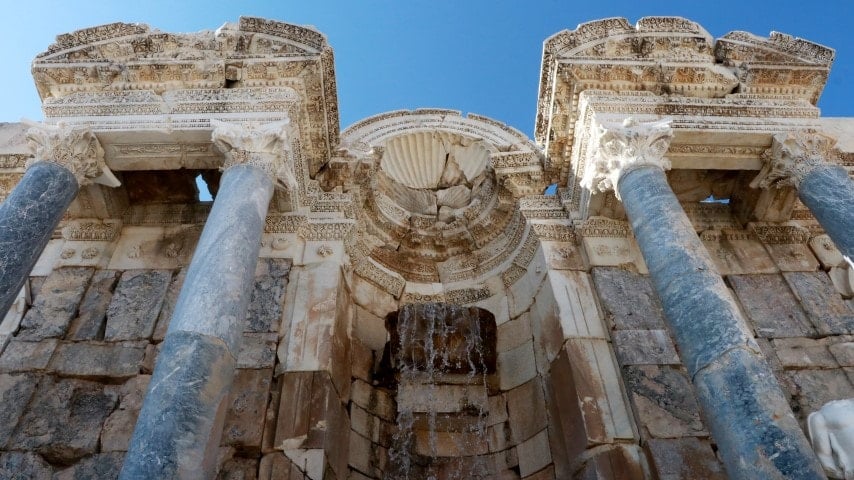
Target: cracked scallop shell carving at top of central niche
x,y
429,160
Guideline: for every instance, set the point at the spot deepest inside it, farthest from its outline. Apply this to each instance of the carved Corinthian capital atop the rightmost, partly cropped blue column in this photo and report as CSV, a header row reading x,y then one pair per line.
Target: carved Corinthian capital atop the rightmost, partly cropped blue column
x,y
792,156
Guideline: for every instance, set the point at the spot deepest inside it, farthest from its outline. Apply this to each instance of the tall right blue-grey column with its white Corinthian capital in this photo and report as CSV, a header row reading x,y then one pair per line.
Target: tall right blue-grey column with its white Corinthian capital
x,y
747,413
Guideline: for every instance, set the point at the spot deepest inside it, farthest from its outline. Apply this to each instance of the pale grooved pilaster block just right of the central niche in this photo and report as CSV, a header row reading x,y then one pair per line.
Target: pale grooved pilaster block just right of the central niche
x,y
576,310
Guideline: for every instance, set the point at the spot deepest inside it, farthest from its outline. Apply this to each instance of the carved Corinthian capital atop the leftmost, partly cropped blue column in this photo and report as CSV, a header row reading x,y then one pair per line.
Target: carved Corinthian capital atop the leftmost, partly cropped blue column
x,y
74,148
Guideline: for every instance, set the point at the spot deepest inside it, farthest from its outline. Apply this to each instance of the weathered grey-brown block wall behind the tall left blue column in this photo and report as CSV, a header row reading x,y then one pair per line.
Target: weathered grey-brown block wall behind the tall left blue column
x,y
74,374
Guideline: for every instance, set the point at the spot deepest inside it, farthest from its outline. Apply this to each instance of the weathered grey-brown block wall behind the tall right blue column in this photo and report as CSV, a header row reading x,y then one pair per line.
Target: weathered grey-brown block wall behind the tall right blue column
x,y
801,322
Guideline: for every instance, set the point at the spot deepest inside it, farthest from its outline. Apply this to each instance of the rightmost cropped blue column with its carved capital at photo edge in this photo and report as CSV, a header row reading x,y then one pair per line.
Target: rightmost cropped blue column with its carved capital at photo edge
x,y
799,160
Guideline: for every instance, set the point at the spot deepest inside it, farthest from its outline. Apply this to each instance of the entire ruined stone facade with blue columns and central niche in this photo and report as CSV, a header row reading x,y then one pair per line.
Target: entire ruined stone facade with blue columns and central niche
x,y
400,299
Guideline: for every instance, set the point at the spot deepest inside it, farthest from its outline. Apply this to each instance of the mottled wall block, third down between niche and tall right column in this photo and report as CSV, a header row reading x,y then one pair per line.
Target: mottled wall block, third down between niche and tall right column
x,y
664,401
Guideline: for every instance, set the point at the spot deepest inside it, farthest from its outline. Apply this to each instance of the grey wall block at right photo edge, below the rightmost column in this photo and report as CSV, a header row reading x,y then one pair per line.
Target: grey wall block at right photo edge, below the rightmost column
x,y
825,307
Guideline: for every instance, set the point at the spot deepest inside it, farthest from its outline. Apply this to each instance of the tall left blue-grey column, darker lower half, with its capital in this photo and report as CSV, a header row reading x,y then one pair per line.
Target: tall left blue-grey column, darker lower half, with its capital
x,y
178,431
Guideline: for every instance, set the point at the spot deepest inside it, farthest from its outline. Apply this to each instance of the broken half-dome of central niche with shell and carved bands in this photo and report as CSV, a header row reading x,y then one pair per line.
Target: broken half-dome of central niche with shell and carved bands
x,y
435,193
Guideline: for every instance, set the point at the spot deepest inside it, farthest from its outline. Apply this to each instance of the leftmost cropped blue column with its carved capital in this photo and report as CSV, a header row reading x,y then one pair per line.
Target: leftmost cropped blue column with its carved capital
x,y
64,159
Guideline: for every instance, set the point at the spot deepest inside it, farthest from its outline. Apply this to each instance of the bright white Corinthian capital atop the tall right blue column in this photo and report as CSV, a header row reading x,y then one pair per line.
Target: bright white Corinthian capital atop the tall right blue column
x,y
620,148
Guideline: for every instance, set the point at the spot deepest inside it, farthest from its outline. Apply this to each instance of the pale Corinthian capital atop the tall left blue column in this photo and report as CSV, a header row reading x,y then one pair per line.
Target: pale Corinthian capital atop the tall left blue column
x,y
265,146
